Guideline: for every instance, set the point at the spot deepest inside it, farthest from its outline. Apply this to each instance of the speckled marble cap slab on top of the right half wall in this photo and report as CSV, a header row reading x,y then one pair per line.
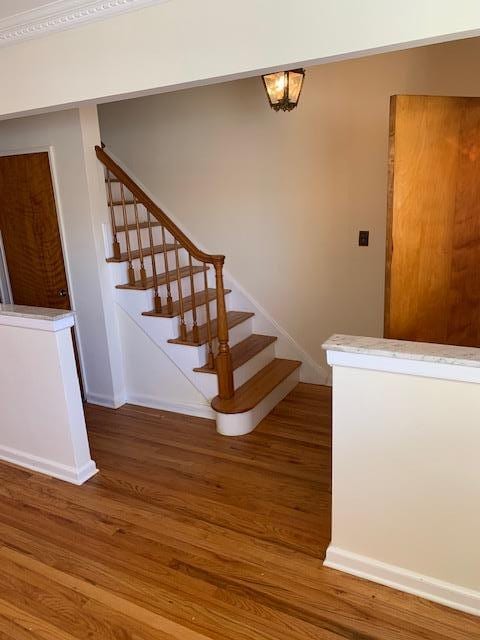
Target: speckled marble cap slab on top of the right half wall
x,y
405,350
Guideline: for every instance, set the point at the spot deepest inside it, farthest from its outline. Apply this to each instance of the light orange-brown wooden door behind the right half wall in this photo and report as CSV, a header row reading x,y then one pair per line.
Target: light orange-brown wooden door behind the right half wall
x,y
432,289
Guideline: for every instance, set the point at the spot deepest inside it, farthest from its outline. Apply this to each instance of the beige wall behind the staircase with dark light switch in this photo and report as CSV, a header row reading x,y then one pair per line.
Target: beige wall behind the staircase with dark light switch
x,y
284,195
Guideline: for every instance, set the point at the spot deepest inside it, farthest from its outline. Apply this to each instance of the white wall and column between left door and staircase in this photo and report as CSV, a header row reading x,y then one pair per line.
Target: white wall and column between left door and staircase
x,y
71,134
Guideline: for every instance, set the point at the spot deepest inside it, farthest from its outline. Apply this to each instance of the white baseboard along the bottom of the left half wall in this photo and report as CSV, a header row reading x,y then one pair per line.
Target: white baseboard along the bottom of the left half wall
x,y
73,475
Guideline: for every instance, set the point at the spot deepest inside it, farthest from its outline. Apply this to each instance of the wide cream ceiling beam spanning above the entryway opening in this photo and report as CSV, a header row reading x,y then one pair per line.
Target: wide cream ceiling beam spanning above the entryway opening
x,y
190,41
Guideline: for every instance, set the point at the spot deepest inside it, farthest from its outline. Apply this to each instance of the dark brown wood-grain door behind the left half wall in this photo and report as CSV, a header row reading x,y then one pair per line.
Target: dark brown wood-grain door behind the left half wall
x,y
31,237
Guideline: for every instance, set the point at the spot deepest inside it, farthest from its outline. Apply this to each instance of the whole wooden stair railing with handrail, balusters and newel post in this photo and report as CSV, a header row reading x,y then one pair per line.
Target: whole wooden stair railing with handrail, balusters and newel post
x,y
223,359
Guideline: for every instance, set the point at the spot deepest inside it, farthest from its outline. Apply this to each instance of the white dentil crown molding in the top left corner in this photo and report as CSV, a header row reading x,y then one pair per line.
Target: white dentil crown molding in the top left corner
x,y
63,14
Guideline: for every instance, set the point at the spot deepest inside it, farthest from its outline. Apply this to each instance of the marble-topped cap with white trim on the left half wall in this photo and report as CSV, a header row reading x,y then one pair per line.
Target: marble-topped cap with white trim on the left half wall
x,y
40,318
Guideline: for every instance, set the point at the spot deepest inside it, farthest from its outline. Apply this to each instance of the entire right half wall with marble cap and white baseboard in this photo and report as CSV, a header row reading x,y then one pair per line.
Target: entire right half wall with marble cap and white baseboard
x,y
406,466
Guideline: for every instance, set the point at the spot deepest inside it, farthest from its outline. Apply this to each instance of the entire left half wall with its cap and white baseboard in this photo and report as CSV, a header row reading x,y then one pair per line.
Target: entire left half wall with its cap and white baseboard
x,y
42,424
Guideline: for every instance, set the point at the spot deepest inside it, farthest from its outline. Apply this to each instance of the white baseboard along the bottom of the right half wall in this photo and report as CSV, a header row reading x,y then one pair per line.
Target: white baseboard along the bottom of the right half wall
x,y
444,593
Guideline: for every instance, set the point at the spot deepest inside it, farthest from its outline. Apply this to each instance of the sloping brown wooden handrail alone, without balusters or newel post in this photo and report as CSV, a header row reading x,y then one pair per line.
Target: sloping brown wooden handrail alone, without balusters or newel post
x,y
155,210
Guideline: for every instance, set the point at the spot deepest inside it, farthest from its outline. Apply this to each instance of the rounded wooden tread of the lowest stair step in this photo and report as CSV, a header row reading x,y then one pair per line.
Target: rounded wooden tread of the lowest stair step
x,y
257,388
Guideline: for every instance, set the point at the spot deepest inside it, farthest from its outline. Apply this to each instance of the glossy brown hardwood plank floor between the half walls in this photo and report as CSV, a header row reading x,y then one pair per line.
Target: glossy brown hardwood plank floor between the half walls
x,y
188,535
